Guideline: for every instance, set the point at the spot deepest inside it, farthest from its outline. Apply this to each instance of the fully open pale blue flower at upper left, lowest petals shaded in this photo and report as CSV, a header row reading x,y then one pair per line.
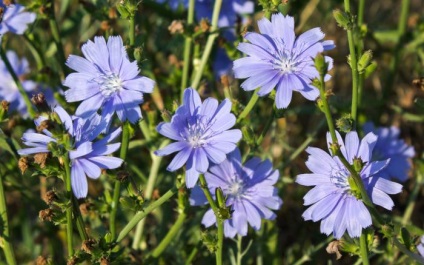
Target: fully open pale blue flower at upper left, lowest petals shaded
x,y
106,78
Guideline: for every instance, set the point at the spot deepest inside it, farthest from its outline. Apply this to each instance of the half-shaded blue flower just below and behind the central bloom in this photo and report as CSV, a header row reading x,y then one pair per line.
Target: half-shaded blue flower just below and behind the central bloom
x,y
249,190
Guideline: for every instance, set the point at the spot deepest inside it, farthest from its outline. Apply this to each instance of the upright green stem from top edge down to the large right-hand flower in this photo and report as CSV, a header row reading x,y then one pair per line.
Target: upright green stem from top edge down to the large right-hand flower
x,y
354,67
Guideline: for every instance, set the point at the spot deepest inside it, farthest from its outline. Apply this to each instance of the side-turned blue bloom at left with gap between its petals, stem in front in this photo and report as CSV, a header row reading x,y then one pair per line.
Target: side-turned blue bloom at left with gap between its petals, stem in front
x,y
87,157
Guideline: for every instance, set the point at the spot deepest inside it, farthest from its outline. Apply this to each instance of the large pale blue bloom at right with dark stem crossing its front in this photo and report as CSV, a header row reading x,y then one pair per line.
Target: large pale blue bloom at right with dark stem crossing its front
x,y
333,199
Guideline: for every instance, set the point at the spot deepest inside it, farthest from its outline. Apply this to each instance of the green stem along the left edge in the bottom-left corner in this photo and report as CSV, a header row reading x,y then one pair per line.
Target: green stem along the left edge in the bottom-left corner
x,y
6,238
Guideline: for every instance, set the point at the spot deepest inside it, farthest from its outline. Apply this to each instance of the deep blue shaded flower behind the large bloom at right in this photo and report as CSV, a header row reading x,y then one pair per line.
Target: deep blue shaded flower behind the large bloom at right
x,y
390,146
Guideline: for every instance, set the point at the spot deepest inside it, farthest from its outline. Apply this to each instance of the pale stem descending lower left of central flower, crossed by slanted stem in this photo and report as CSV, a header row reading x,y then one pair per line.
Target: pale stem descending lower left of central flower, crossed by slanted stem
x,y
156,160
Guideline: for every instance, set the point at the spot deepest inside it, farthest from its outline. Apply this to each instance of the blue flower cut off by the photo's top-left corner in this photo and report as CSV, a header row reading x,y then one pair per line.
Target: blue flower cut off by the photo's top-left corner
x,y
14,19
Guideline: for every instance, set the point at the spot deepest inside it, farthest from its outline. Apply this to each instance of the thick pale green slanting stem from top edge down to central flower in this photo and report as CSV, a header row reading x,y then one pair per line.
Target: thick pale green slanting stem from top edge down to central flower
x,y
209,44
